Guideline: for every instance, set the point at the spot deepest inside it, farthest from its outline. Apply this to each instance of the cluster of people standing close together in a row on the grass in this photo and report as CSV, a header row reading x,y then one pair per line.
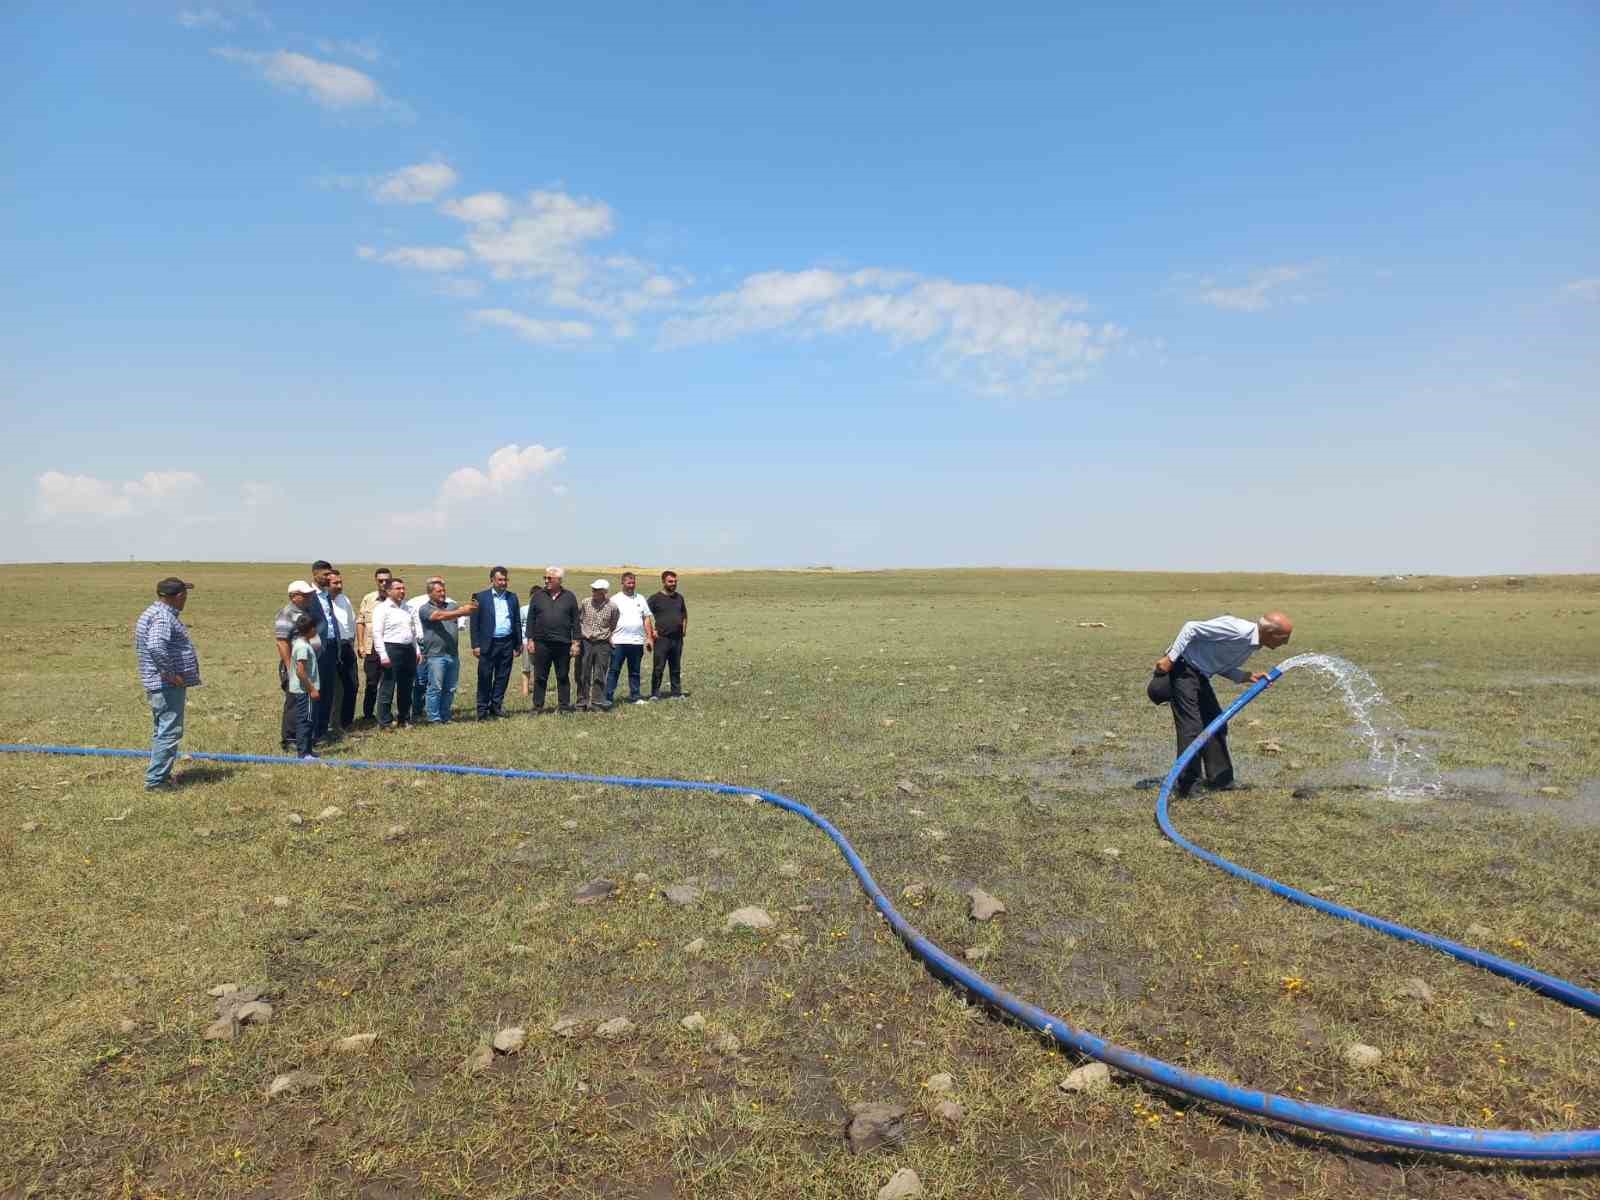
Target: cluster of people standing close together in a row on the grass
x,y
410,649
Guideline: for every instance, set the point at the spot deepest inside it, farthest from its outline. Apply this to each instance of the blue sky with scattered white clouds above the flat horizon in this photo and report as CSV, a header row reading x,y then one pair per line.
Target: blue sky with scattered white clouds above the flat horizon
x,y
746,286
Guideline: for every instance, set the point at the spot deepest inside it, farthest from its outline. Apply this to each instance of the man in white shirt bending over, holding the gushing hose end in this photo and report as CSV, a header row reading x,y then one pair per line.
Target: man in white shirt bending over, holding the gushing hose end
x,y
1183,678
